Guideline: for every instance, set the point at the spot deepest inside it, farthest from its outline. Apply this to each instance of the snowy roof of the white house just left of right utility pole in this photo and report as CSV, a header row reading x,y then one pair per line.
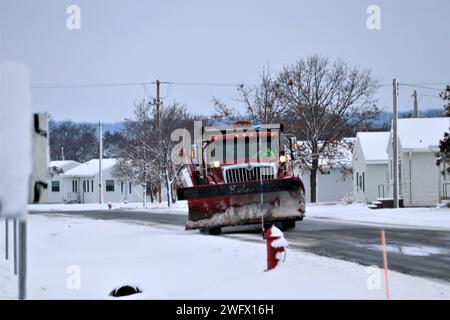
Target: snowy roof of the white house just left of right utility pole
x,y
373,145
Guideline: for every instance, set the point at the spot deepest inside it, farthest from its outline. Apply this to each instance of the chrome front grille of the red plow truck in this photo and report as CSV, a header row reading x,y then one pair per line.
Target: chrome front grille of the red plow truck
x,y
244,174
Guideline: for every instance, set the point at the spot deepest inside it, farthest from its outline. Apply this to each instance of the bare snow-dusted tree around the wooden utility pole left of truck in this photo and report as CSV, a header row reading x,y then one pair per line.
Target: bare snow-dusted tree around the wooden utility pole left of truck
x,y
142,158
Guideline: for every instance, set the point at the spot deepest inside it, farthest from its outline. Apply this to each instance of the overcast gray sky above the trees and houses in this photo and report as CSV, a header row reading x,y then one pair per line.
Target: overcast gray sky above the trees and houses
x,y
221,41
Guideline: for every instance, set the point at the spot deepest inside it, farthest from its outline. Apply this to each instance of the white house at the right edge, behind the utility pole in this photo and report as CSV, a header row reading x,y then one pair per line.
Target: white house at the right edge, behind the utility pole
x,y
420,180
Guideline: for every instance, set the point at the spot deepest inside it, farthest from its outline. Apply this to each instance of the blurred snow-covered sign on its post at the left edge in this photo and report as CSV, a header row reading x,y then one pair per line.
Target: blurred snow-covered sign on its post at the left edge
x,y
16,153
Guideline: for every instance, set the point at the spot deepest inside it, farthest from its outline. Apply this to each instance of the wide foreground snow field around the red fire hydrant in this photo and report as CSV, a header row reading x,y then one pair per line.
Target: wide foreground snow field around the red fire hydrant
x,y
171,263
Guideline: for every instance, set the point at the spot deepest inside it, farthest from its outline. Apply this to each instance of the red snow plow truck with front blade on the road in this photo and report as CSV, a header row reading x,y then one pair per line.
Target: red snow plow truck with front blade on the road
x,y
242,174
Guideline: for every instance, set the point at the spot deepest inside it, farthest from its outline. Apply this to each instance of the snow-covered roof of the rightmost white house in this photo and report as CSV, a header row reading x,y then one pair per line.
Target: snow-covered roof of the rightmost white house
x,y
421,134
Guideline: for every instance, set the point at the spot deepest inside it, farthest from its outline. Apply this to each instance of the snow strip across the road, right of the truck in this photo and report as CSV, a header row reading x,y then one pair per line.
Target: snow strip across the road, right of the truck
x,y
417,217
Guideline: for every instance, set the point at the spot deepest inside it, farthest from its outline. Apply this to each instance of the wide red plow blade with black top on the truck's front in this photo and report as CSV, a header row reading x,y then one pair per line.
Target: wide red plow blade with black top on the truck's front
x,y
213,206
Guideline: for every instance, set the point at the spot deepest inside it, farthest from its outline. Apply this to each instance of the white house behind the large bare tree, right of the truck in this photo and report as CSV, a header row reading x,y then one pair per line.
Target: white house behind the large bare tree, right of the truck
x,y
334,179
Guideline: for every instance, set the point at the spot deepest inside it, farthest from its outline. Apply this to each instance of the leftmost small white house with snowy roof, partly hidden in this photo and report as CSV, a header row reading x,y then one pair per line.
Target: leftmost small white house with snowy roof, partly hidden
x,y
57,169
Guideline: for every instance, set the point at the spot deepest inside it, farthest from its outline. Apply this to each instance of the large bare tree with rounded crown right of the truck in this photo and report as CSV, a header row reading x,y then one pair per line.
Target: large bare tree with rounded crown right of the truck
x,y
325,100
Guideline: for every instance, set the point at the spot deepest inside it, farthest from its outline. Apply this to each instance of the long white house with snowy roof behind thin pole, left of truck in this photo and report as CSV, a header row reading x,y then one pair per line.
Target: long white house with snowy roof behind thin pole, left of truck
x,y
81,184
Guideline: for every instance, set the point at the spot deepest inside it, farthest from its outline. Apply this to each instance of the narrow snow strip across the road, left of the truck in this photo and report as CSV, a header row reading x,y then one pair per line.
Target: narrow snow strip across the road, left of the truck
x,y
178,207
